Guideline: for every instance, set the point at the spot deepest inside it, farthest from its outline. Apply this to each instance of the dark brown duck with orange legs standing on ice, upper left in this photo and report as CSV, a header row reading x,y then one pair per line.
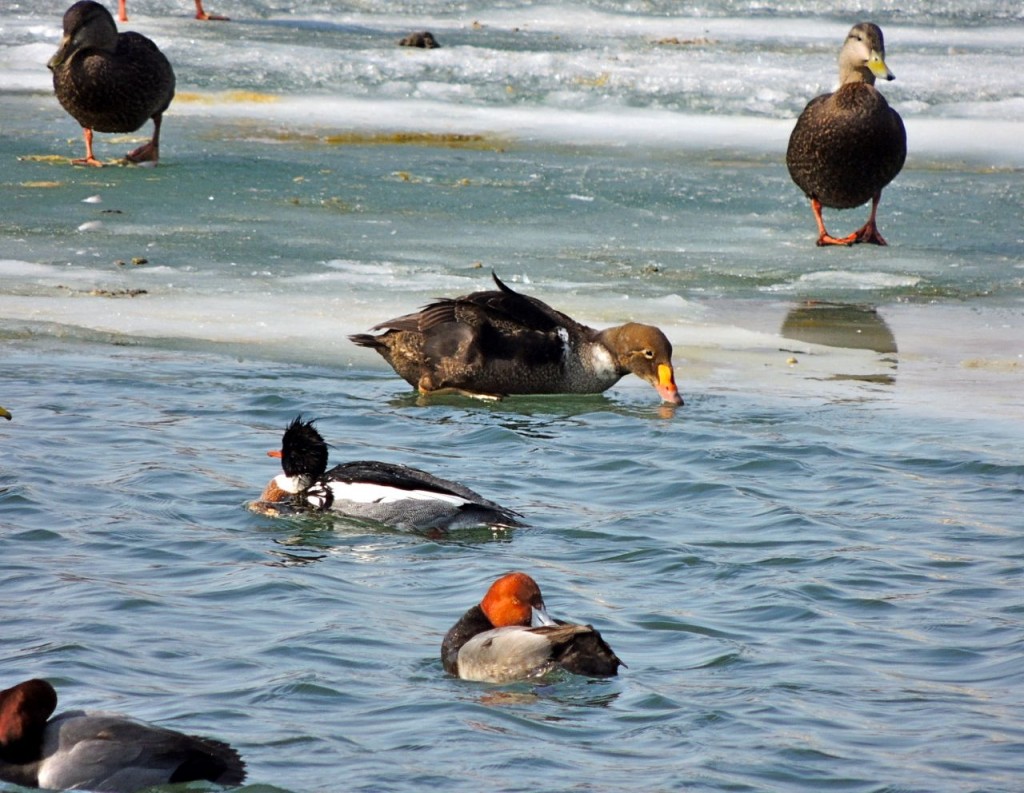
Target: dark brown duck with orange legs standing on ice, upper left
x,y
109,81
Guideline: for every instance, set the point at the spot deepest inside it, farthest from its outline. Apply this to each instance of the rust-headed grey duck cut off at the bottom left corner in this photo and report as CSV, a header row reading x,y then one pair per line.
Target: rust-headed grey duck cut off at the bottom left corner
x,y
103,753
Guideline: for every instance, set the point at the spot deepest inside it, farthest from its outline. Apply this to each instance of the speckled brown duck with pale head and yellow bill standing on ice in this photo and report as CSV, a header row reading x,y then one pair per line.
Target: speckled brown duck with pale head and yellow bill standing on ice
x,y
849,145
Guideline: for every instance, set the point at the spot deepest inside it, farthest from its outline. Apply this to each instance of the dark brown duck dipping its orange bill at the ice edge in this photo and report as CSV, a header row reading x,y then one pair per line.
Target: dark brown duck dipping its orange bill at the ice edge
x,y
492,344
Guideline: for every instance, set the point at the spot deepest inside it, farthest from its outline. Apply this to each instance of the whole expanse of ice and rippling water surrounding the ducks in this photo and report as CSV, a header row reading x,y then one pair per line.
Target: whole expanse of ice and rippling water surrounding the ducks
x,y
814,569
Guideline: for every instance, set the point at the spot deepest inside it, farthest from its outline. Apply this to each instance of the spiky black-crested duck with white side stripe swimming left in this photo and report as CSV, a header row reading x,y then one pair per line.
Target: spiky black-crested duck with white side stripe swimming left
x,y
397,495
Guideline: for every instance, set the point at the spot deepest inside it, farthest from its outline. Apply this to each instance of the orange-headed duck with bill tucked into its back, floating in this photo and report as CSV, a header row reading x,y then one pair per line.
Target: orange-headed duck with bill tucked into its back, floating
x,y
509,637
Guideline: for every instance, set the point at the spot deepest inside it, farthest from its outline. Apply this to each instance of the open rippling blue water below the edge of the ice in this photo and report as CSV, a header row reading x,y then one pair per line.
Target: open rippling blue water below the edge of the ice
x,y
808,597
